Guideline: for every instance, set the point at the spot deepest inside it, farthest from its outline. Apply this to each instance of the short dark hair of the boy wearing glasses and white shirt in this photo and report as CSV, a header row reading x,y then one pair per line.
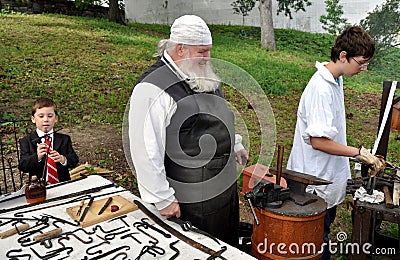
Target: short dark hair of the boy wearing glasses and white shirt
x,y
355,42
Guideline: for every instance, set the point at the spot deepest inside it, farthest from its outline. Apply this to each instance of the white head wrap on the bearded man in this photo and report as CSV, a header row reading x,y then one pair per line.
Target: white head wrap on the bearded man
x,y
190,30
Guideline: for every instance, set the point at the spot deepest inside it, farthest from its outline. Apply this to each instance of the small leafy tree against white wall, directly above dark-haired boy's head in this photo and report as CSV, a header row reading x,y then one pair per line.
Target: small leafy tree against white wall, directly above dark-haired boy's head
x,y
333,22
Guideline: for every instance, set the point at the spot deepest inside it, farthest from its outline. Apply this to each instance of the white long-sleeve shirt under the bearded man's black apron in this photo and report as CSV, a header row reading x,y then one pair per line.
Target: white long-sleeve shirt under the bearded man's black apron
x,y
150,113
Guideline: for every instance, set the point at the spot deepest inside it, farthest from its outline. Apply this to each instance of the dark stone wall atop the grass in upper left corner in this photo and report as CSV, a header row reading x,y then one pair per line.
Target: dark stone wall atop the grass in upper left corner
x,y
53,6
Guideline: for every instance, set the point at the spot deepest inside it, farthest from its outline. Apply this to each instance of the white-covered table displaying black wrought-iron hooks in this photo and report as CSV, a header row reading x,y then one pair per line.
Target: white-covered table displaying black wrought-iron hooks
x,y
117,239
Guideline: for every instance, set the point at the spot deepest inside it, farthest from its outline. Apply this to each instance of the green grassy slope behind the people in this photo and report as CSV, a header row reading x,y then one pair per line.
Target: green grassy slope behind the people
x,y
89,66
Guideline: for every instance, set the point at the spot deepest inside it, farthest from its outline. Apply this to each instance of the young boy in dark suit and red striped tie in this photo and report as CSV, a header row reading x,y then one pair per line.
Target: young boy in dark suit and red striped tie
x,y
58,148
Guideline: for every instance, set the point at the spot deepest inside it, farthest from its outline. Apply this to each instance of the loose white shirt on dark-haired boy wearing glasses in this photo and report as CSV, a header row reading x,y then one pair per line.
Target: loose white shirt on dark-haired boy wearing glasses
x,y
321,113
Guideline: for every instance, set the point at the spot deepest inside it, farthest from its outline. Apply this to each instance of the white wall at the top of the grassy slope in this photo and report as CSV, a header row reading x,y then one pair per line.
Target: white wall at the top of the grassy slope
x,y
221,12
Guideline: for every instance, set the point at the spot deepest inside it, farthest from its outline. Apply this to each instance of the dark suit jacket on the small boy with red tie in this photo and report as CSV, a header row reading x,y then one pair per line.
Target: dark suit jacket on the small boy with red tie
x,y
28,155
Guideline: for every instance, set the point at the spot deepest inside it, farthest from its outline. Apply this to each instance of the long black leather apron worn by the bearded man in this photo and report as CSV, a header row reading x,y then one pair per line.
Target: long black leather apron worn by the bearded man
x,y
199,159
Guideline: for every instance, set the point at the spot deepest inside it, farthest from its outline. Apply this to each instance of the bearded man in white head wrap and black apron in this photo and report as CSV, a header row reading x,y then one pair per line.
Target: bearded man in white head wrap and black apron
x,y
181,134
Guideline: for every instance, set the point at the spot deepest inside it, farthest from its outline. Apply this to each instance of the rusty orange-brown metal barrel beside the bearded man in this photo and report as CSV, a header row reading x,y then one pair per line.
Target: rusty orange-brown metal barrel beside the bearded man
x,y
291,231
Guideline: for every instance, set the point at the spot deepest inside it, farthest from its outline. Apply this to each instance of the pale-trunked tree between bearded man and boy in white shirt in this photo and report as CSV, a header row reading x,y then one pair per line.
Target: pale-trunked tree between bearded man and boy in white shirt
x,y
266,21
